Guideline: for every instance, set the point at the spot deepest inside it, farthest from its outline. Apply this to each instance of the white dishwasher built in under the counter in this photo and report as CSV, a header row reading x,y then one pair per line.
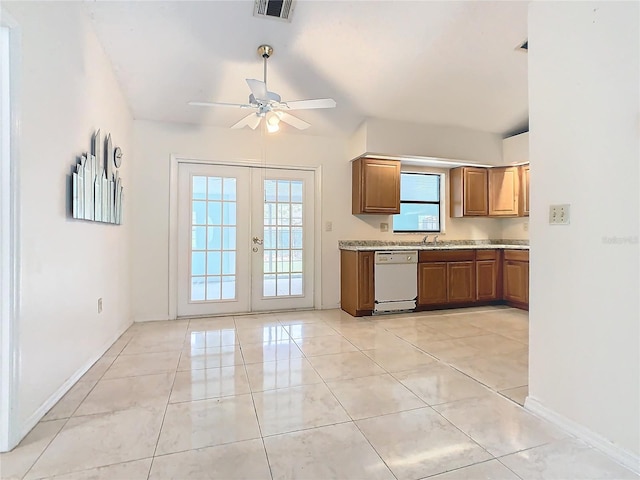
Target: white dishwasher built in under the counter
x,y
396,281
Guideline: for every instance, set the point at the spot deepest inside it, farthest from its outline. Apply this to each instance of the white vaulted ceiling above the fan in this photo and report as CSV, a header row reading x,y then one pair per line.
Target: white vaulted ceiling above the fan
x,y
439,62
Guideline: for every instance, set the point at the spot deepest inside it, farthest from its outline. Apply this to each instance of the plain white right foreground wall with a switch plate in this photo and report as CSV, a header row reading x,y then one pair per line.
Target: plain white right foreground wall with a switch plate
x,y
584,314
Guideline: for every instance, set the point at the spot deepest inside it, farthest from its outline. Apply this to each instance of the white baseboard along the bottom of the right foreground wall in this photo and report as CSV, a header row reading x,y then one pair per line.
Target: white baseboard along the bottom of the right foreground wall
x,y
618,454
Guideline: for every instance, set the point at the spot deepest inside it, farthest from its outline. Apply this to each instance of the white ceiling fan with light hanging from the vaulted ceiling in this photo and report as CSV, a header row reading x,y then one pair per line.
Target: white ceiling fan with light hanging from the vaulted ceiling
x,y
269,105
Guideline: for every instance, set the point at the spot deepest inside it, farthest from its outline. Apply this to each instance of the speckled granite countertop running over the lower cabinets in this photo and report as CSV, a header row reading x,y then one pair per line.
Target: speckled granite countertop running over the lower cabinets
x,y
372,245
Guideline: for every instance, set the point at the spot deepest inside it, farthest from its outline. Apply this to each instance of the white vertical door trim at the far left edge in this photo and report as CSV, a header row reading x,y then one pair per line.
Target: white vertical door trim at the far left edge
x,y
9,241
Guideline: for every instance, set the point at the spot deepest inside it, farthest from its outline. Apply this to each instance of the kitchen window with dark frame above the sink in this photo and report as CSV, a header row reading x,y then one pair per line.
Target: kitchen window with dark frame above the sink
x,y
419,203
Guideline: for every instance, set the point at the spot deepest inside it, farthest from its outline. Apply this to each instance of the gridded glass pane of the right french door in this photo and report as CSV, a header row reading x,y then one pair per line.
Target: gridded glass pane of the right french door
x,y
283,234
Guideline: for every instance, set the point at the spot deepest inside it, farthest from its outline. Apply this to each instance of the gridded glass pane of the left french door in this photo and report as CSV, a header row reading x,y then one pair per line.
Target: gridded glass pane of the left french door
x,y
213,242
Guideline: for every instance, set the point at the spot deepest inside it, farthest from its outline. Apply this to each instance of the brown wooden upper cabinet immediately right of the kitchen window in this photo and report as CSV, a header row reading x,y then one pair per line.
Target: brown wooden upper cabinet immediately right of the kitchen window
x,y
468,186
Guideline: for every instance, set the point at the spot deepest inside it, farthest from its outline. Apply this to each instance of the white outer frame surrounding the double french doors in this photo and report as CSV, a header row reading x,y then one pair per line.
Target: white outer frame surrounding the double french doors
x,y
174,162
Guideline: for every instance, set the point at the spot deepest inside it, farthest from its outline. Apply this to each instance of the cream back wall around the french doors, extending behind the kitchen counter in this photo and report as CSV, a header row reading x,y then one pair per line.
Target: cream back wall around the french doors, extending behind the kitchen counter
x,y
155,142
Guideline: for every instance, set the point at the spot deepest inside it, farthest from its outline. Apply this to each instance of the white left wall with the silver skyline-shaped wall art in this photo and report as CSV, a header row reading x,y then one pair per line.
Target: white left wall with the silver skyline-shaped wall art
x,y
67,90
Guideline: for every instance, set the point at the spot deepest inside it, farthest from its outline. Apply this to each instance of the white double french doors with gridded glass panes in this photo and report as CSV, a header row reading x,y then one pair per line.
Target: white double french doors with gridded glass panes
x,y
245,239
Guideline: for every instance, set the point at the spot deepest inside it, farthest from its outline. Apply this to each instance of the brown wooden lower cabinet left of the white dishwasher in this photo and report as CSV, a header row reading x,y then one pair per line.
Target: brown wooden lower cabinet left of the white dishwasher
x,y
356,282
